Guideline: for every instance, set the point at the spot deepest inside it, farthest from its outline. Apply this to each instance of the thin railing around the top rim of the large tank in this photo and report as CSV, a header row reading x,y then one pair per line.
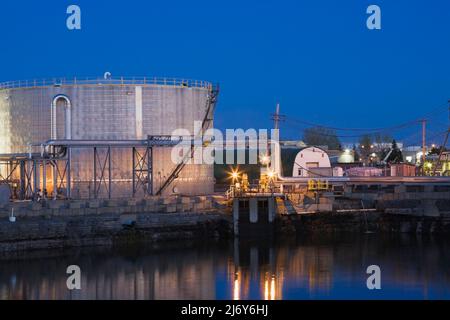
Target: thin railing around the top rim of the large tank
x,y
59,82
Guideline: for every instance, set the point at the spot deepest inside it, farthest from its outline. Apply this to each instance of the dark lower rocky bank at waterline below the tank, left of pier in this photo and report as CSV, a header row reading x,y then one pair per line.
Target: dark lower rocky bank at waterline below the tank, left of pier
x,y
37,233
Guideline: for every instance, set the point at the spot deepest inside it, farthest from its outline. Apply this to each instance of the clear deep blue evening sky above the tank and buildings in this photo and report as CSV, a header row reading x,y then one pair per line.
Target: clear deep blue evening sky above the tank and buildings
x,y
315,57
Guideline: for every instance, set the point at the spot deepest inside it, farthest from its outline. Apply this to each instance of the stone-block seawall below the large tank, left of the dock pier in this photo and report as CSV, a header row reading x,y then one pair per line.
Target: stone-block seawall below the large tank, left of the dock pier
x,y
89,223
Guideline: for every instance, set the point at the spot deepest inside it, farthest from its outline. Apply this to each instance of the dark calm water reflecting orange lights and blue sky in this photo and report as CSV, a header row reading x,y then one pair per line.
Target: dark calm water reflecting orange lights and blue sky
x,y
333,268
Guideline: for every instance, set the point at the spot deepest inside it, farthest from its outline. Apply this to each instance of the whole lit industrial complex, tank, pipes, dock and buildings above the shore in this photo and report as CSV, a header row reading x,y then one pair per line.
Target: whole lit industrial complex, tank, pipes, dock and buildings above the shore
x,y
111,139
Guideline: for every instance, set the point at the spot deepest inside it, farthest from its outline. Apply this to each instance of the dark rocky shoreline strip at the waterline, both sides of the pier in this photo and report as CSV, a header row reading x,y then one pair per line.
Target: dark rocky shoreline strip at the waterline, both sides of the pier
x,y
40,232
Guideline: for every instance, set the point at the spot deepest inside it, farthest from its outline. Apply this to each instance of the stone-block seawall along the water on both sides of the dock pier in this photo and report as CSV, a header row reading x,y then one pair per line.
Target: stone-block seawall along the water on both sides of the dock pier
x,y
63,224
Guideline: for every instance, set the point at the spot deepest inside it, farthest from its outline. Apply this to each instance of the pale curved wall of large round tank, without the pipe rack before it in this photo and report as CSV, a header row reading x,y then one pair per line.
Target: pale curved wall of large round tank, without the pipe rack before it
x,y
113,109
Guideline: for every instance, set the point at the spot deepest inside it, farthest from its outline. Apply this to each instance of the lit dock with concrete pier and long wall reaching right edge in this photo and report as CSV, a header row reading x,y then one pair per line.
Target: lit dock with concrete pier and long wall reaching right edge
x,y
256,208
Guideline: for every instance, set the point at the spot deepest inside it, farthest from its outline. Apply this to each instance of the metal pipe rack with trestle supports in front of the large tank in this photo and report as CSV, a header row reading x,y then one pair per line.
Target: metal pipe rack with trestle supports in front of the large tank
x,y
23,172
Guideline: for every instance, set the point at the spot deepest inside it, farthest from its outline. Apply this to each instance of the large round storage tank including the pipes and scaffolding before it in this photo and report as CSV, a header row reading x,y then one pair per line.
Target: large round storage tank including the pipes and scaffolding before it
x,y
101,137
